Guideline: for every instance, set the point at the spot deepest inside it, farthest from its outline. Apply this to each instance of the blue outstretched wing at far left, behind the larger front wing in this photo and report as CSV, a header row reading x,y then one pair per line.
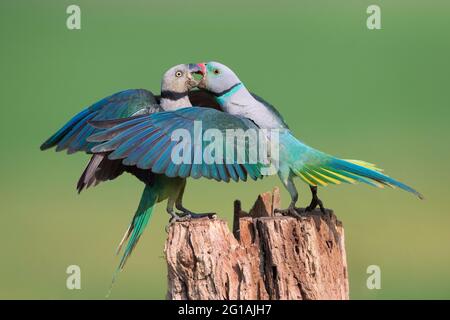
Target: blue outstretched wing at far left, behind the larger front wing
x,y
72,136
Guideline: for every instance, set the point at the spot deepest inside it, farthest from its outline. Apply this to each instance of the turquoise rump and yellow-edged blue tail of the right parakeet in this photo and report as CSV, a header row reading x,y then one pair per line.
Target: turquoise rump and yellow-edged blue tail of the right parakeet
x,y
320,169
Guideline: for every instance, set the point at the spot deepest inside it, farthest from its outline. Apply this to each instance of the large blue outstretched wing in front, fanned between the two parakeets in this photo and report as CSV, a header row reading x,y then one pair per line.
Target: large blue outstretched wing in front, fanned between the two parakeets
x,y
148,142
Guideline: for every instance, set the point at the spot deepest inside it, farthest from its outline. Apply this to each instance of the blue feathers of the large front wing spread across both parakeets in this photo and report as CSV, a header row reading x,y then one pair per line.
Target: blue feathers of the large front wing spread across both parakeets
x,y
148,144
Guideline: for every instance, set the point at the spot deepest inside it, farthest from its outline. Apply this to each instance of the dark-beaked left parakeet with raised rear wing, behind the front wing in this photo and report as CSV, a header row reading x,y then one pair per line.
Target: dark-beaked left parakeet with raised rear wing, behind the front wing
x,y
175,94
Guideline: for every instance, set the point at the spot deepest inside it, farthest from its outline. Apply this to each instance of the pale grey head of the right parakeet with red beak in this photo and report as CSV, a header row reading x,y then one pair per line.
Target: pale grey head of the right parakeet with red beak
x,y
217,77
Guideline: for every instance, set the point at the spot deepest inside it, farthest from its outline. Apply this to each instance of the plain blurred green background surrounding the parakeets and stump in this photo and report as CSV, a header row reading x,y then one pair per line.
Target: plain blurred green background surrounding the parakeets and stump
x,y
381,96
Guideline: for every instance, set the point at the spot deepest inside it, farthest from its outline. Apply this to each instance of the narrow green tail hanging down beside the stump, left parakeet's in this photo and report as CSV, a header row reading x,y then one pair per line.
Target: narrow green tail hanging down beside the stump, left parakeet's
x,y
137,226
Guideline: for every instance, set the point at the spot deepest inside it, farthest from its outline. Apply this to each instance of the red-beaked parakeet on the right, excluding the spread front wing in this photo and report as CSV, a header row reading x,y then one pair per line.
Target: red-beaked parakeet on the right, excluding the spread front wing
x,y
296,159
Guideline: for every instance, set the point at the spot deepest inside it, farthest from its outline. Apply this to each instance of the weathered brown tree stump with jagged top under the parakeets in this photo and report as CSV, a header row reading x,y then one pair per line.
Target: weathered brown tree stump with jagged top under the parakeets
x,y
265,257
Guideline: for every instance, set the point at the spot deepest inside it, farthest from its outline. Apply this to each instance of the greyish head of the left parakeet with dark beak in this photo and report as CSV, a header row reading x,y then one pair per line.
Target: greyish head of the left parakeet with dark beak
x,y
179,79
